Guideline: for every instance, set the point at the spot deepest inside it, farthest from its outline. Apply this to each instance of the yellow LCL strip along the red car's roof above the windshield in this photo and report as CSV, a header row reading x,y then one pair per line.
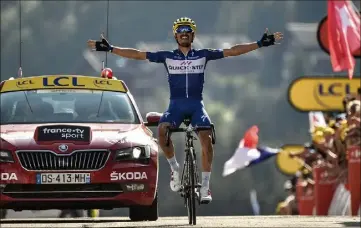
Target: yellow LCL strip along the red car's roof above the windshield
x,y
63,82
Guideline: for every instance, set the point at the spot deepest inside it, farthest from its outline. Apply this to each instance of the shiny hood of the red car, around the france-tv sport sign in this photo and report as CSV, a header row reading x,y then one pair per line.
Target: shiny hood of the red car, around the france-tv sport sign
x,y
102,135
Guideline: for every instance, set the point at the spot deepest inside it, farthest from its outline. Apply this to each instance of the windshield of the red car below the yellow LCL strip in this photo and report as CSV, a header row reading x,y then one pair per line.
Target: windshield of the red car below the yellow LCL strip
x,y
66,106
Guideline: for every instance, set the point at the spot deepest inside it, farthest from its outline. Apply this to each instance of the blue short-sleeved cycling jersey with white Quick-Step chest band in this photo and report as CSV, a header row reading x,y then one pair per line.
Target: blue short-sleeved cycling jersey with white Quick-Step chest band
x,y
185,72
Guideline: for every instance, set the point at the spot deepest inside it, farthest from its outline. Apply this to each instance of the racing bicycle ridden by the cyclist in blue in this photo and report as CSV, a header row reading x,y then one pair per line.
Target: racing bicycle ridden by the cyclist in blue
x,y
190,185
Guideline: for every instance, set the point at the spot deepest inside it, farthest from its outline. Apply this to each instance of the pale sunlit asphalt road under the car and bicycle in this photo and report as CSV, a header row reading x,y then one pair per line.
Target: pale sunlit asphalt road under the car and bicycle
x,y
224,221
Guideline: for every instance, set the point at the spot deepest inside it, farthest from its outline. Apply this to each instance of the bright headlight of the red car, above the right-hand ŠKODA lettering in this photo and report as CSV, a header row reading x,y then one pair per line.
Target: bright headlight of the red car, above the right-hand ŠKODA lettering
x,y
141,153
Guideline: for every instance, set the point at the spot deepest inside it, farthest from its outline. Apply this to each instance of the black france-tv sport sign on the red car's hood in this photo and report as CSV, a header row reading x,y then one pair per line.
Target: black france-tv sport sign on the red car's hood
x,y
53,133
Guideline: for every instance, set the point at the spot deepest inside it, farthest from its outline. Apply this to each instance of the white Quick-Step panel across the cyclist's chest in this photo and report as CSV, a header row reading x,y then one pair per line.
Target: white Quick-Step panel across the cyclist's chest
x,y
186,66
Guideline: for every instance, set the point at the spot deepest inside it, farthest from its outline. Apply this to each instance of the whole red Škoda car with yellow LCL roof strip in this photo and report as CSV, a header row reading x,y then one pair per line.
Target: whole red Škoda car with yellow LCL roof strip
x,y
76,142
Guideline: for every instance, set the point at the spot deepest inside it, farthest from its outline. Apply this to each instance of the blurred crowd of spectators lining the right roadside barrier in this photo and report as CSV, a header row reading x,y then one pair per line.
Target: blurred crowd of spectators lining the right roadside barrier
x,y
328,148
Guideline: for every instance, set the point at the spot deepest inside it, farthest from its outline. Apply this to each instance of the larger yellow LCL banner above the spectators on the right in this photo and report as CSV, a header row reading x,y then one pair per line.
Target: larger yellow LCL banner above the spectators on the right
x,y
321,93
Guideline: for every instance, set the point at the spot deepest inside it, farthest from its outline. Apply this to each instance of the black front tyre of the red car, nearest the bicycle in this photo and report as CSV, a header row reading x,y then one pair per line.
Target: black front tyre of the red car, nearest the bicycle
x,y
145,213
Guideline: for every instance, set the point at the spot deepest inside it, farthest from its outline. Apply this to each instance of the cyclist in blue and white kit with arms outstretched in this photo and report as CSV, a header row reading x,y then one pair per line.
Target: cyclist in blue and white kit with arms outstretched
x,y
185,67
